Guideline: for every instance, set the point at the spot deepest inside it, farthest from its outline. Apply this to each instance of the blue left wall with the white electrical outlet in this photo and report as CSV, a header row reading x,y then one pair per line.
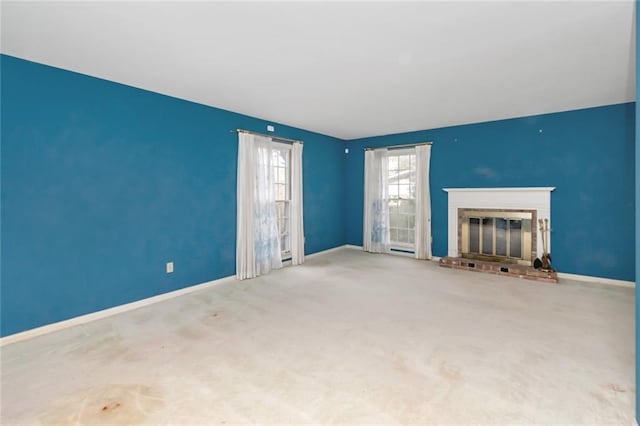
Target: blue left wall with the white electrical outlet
x,y
102,184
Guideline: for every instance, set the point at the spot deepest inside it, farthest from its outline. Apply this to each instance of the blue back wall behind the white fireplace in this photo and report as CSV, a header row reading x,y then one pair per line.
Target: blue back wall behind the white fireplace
x,y
587,154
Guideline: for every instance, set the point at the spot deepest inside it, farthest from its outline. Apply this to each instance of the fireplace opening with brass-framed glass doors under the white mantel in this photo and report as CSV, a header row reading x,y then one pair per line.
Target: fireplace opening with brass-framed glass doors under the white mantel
x,y
497,235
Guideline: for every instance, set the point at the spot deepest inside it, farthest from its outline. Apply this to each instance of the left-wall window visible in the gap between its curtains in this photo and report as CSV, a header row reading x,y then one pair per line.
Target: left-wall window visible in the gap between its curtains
x,y
281,164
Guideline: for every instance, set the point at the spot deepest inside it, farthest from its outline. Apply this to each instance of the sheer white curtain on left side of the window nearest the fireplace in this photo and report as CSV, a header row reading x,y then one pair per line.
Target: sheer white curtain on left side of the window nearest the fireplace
x,y
376,204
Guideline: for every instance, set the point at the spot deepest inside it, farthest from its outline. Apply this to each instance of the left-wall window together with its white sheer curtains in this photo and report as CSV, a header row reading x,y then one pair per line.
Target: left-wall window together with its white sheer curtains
x,y
270,222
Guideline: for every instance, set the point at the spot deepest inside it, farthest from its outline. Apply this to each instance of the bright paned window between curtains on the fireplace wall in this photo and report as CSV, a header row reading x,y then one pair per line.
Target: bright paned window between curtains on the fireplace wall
x,y
401,166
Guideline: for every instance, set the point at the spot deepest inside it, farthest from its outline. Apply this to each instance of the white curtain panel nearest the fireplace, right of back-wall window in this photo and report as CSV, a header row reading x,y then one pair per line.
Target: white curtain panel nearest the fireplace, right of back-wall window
x,y
423,203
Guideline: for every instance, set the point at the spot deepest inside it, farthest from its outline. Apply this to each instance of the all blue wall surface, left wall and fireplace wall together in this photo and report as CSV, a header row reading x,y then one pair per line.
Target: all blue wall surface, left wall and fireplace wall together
x,y
103,183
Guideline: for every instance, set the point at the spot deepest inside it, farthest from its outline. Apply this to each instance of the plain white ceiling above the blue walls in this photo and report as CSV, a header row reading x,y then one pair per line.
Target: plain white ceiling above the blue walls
x,y
345,69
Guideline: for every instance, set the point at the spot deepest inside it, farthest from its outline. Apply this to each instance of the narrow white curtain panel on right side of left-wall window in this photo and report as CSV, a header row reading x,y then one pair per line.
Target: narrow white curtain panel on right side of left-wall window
x,y
296,215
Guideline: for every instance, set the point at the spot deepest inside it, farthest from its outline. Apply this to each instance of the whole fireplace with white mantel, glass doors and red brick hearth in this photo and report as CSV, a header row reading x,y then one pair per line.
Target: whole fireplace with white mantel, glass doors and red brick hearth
x,y
495,230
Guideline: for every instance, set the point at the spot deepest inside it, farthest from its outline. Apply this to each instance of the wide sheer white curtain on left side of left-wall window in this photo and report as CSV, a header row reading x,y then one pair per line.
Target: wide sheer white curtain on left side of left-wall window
x,y
258,239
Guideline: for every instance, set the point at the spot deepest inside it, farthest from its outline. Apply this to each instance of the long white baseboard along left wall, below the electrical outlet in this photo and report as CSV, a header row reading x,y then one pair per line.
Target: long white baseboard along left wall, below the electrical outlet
x,y
93,316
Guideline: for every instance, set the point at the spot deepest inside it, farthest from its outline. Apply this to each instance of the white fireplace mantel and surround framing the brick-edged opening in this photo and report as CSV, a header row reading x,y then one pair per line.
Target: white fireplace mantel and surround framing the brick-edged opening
x,y
538,199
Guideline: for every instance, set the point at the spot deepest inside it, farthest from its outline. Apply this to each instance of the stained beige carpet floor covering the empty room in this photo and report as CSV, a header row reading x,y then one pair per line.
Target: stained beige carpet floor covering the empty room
x,y
346,338
